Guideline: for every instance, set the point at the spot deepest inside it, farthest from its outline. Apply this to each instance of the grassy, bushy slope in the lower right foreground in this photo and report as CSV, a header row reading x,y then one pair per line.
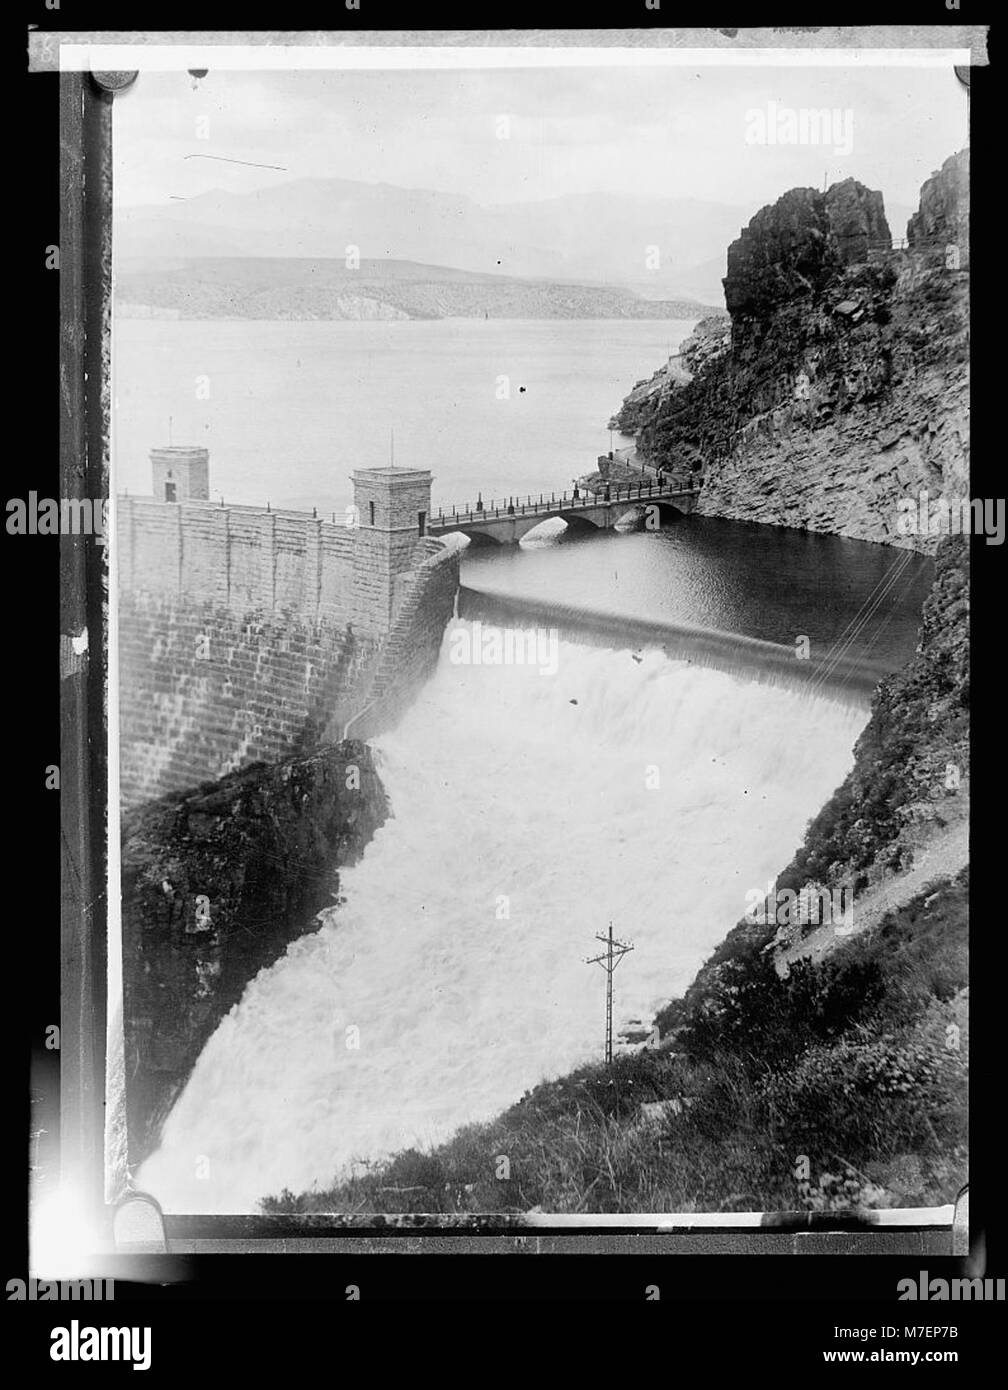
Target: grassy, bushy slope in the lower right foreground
x,y
843,1086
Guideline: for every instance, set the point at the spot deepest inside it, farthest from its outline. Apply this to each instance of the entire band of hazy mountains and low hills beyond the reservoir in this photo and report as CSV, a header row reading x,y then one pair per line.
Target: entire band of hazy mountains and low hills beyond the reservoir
x,y
572,256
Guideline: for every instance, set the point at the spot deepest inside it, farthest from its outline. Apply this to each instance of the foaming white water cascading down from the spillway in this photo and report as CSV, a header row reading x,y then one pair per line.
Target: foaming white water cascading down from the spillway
x,y
528,811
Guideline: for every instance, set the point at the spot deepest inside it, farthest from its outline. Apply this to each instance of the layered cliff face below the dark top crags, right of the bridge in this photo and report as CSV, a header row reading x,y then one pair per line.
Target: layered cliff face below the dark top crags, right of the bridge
x,y
871,411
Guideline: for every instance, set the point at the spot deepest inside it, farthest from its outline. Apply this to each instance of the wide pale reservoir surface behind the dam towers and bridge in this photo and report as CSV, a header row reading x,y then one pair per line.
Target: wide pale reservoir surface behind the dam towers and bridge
x,y
497,407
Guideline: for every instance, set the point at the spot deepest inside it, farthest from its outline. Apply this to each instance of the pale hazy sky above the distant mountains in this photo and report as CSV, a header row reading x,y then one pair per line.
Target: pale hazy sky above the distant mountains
x,y
672,133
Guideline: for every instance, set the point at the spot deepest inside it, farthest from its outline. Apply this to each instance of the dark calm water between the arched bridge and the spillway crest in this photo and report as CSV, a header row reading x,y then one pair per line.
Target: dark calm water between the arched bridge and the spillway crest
x,y
703,578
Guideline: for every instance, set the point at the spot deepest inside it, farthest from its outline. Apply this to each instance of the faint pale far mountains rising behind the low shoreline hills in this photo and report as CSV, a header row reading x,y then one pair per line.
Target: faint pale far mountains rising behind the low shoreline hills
x,y
661,248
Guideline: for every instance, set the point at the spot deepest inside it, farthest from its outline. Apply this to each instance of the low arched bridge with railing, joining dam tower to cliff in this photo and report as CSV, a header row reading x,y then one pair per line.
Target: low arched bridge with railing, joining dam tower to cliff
x,y
510,521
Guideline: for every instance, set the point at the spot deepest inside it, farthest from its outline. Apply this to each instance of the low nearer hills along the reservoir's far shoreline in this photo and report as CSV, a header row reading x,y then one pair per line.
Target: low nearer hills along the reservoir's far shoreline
x,y
307,288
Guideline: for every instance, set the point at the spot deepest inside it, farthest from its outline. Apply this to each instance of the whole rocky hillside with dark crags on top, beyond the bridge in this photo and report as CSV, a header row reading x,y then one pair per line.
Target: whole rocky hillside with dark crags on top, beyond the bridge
x,y
842,350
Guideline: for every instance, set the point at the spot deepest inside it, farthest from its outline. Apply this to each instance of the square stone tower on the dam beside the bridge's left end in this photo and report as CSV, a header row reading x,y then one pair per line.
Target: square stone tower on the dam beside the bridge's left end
x,y
393,507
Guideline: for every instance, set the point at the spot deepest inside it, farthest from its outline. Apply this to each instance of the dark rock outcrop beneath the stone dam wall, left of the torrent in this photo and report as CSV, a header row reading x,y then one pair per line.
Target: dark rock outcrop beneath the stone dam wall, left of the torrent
x,y
216,885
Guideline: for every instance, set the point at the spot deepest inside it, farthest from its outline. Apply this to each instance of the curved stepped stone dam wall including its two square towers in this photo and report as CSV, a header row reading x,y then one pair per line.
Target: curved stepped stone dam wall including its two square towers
x,y
250,635
